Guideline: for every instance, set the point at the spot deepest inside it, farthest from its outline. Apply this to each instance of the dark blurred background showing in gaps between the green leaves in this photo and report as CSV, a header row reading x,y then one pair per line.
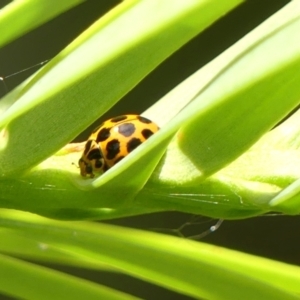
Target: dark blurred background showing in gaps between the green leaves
x,y
275,237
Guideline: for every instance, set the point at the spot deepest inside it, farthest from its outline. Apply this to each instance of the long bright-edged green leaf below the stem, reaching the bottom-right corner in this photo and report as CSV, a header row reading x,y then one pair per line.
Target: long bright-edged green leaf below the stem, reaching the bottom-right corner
x,y
153,257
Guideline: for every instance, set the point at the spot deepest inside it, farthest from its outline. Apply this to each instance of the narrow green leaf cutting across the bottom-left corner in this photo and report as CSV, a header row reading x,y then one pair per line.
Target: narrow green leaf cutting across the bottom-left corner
x,y
28,281
